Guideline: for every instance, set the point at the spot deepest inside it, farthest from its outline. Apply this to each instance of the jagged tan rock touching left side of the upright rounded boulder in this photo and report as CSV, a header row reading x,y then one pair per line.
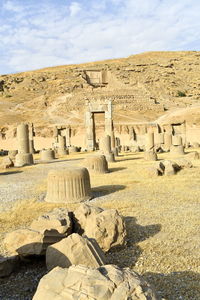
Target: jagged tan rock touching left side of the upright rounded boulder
x,y
58,223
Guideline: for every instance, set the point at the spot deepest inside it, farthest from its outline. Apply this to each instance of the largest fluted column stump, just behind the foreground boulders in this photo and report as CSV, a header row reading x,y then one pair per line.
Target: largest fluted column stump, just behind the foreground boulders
x,y
68,185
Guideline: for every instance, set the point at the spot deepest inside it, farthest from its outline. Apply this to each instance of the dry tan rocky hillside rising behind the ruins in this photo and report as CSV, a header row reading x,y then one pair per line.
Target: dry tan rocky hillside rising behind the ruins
x,y
142,87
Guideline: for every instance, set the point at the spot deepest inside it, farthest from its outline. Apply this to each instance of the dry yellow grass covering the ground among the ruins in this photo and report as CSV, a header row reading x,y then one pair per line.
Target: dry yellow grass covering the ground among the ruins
x,y
162,215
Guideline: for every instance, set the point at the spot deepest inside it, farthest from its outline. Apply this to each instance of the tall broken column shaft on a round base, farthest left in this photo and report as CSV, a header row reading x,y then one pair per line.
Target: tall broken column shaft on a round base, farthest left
x,y
23,157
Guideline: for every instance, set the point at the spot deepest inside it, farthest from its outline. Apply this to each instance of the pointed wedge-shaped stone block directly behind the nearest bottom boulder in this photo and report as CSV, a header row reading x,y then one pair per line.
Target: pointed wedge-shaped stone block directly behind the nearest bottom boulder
x,y
74,250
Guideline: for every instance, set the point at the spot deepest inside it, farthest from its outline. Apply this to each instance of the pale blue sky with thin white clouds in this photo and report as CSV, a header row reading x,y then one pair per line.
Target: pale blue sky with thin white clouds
x,y
43,33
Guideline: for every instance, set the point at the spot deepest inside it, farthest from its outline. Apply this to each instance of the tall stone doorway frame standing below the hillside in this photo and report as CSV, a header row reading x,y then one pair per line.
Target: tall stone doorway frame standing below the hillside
x,y
91,109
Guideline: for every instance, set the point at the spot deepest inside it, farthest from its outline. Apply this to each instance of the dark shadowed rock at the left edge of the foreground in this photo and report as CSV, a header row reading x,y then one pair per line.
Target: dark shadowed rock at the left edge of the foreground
x,y
8,265
